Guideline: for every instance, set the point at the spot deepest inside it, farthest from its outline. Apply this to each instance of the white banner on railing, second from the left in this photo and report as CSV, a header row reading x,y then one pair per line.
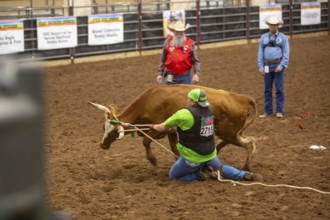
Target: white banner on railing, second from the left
x,y
57,32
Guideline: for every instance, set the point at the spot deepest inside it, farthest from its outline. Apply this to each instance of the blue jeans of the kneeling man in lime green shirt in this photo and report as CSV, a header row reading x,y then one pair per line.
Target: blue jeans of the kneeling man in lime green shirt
x,y
184,170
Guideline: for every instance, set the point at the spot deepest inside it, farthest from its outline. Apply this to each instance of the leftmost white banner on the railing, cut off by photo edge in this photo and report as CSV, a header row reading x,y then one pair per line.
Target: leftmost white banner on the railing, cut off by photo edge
x,y
11,36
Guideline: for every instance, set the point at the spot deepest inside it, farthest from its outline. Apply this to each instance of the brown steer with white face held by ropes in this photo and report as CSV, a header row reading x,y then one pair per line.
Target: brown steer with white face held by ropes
x,y
233,114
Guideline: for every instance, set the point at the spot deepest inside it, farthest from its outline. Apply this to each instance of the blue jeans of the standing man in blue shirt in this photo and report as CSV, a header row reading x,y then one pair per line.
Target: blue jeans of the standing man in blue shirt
x,y
269,78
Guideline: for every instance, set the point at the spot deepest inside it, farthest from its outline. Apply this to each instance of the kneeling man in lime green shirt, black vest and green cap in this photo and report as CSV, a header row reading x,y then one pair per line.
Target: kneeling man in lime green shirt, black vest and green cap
x,y
198,156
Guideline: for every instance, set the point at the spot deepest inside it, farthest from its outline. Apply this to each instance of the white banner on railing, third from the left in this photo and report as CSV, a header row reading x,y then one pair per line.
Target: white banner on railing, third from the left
x,y
105,29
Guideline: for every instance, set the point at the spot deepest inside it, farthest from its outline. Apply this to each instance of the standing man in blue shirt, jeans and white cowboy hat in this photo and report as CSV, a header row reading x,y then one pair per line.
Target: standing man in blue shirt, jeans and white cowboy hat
x,y
273,59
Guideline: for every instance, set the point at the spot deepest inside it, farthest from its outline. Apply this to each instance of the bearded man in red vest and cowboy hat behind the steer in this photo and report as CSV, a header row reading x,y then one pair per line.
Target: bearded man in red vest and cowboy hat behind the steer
x,y
178,57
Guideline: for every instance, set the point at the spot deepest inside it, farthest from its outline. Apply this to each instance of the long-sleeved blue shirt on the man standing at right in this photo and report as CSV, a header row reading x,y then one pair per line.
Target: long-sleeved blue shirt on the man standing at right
x,y
280,51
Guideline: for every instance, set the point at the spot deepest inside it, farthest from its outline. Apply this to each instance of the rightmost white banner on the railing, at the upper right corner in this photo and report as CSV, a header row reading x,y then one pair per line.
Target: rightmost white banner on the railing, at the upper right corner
x,y
310,13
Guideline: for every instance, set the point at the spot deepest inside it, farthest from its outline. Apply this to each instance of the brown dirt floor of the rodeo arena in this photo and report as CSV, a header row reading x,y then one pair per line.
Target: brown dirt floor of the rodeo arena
x,y
119,183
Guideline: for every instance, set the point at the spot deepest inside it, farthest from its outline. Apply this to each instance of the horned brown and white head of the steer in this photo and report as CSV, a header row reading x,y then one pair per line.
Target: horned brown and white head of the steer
x,y
112,131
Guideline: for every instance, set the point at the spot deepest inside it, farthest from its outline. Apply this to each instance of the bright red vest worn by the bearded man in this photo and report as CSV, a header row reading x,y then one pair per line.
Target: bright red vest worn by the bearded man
x,y
178,60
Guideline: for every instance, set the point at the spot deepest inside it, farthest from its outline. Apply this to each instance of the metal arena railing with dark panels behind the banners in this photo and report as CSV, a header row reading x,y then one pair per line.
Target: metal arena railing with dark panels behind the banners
x,y
210,21
